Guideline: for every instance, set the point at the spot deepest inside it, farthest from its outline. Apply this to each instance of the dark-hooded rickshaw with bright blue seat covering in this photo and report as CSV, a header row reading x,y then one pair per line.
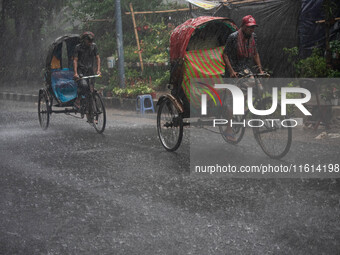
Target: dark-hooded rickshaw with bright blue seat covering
x,y
61,89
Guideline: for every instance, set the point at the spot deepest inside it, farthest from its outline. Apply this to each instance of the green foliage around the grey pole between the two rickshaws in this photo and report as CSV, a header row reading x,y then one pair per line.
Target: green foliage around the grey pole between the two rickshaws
x,y
154,35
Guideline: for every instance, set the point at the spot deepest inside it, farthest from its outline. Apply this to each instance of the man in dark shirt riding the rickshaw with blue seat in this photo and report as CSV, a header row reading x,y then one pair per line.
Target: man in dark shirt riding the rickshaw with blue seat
x,y
85,56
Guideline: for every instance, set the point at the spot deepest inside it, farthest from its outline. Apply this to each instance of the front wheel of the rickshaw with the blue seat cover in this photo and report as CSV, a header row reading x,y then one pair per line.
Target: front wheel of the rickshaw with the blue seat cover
x,y
99,113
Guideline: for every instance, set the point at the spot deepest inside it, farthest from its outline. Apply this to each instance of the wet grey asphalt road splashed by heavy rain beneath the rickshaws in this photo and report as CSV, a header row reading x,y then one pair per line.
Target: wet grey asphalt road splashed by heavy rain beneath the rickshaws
x,y
68,190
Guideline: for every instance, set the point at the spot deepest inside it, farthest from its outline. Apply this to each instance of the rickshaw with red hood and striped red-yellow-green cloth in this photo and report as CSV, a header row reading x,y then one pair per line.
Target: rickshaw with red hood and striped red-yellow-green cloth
x,y
196,49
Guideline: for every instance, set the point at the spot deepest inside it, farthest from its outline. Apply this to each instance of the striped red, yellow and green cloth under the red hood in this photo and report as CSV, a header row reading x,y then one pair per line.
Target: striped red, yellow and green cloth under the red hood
x,y
207,63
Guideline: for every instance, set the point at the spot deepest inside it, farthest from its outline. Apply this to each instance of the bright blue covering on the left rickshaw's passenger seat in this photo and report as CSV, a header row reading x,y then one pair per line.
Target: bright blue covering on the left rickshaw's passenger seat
x,y
63,84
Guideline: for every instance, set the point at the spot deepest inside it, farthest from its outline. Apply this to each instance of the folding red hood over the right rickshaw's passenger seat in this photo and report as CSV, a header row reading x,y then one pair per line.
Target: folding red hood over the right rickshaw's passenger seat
x,y
181,35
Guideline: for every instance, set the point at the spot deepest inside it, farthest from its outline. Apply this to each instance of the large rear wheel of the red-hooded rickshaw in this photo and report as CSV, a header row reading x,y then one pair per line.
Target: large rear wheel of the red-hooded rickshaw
x,y
169,125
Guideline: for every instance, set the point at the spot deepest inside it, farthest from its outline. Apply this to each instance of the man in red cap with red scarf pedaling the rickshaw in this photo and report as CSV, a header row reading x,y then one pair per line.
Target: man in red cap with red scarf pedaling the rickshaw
x,y
239,54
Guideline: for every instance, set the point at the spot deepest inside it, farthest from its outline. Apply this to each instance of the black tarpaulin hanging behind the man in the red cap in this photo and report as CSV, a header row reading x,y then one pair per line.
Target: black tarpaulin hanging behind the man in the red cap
x,y
277,29
